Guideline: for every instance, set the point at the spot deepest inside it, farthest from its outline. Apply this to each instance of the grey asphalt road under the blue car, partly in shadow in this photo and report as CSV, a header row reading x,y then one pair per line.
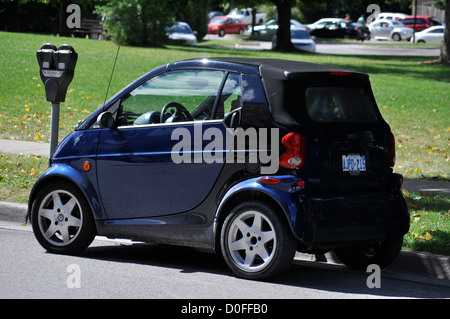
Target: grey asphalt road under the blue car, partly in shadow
x,y
119,269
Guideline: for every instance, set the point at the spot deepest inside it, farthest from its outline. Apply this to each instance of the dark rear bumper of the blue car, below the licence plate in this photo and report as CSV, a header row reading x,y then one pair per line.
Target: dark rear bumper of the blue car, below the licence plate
x,y
343,220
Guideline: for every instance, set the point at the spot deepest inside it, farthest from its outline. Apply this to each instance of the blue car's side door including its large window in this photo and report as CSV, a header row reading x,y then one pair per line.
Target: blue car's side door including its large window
x,y
151,168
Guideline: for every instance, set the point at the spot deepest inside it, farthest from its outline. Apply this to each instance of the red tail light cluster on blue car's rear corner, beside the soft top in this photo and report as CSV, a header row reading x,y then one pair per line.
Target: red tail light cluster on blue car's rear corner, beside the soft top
x,y
294,157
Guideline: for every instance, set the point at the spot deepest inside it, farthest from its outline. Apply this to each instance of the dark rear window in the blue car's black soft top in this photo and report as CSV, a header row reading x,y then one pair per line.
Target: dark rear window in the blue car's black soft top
x,y
340,104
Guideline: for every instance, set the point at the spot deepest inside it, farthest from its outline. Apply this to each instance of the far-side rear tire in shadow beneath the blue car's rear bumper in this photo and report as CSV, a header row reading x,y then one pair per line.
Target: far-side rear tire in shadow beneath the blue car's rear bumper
x,y
381,254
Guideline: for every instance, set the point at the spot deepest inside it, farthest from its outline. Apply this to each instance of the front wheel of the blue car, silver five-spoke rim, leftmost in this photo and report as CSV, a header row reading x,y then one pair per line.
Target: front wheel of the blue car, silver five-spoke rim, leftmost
x,y
62,220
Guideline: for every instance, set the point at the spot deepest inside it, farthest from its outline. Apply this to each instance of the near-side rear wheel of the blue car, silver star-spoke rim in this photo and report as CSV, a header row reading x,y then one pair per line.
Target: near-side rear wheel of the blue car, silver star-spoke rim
x,y
256,241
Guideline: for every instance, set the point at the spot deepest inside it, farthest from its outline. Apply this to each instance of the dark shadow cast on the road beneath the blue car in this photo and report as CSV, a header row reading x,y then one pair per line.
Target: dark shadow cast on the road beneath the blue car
x,y
302,274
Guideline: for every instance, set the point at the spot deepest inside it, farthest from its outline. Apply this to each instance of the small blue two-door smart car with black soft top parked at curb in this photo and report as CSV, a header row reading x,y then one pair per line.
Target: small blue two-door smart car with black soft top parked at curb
x,y
254,159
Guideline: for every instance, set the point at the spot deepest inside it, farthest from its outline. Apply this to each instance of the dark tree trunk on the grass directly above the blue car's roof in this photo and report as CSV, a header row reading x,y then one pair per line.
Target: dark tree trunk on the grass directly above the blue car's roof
x,y
284,25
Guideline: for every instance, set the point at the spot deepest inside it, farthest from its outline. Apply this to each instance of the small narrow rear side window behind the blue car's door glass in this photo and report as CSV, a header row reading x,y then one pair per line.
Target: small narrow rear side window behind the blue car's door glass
x,y
230,98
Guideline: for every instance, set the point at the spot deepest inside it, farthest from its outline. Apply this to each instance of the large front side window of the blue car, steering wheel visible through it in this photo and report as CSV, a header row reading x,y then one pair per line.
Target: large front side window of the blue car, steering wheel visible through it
x,y
181,95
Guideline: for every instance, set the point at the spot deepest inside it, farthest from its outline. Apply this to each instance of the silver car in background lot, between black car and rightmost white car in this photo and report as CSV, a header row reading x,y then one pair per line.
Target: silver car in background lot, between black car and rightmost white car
x,y
390,29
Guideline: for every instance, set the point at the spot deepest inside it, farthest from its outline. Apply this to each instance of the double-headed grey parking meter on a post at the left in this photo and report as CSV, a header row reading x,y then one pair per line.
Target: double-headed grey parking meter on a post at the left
x,y
56,68
